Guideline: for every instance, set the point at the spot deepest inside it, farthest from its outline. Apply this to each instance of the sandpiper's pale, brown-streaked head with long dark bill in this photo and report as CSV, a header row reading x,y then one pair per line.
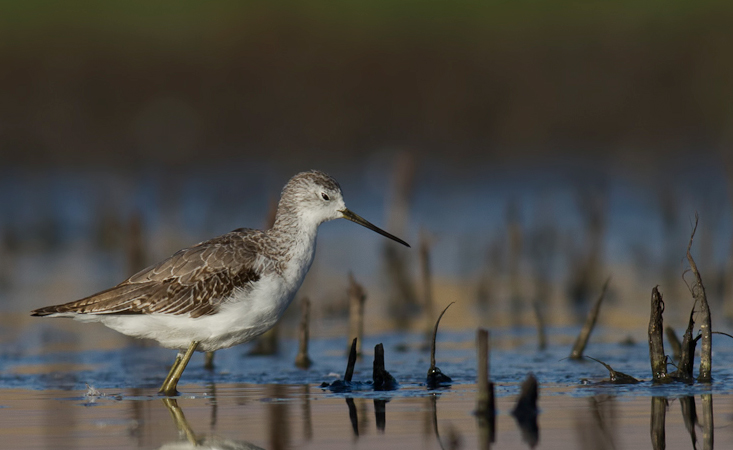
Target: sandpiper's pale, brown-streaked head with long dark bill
x,y
314,197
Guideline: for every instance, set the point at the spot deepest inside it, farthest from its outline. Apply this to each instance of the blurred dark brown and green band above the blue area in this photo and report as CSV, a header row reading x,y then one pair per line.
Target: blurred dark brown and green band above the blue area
x,y
129,83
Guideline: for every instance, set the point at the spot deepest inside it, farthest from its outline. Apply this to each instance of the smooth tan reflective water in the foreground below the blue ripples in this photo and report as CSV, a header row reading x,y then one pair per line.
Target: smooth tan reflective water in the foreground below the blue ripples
x,y
244,416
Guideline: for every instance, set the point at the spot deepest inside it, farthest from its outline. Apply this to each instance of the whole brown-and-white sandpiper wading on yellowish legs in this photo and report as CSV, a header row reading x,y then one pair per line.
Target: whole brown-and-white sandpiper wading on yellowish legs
x,y
224,291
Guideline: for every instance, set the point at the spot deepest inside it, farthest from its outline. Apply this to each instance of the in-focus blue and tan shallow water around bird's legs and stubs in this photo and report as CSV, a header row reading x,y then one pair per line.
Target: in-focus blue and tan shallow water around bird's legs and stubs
x,y
265,402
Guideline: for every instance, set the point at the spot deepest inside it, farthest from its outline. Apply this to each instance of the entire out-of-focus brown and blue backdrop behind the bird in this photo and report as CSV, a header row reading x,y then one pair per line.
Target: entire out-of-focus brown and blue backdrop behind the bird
x,y
552,142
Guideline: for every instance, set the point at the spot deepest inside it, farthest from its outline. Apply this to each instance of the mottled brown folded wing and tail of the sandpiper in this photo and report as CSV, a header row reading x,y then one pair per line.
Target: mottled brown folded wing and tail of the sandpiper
x,y
193,281
